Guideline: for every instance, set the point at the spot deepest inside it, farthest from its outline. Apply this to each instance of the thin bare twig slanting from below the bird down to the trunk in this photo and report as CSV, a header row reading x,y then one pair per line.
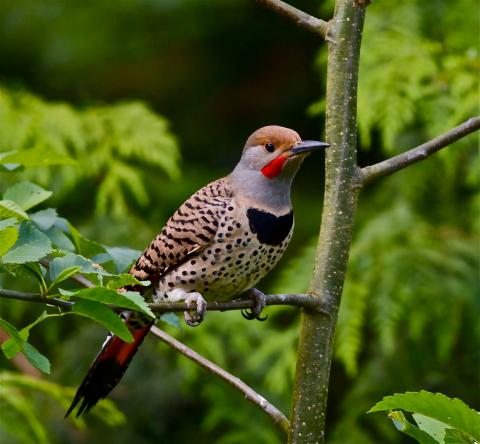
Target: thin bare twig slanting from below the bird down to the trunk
x,y
278,417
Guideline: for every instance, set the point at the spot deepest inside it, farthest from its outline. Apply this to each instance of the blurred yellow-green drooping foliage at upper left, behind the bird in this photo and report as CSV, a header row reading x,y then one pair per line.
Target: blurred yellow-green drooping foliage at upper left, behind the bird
x,y
106,146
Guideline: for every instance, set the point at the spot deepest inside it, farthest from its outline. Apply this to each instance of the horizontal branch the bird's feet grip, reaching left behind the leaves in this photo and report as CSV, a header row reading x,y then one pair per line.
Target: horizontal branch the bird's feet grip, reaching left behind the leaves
x,y
300,300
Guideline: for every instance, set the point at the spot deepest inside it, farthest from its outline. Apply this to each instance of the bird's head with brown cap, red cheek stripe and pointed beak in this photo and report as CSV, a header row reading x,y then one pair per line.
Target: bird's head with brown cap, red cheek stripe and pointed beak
x,y
276,152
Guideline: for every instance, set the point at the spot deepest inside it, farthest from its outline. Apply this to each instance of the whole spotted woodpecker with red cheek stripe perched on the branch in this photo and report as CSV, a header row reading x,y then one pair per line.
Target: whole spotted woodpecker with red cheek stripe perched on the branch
x,y
216,246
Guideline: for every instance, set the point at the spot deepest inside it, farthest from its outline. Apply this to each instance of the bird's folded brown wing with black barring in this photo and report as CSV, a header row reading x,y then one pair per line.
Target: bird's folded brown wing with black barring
x,y
191,229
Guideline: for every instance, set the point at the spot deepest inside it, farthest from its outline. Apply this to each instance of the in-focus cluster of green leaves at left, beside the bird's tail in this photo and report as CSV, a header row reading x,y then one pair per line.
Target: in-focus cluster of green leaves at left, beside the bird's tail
x,y
51,250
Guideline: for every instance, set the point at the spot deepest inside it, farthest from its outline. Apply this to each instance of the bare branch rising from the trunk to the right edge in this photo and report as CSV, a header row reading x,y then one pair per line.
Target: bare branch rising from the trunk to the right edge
x,y
419,153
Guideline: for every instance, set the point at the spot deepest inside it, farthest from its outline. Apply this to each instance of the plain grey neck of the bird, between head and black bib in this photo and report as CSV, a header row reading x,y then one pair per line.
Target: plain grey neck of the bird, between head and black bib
x,y
269,194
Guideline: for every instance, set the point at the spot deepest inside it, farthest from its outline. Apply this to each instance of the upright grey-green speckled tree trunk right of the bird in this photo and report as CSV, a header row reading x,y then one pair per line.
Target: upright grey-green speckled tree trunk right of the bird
x,y
342,184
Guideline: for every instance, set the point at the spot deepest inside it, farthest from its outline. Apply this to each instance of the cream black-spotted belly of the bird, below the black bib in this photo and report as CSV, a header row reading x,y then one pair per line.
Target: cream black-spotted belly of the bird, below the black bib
x,y
225,270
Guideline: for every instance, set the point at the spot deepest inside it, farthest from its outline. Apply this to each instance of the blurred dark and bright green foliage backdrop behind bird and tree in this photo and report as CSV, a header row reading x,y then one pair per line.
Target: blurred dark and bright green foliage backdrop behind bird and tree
x,y
154,98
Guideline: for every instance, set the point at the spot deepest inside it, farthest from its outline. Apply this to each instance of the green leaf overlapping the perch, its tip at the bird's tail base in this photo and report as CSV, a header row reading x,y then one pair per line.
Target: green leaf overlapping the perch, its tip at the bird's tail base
x,y
129,299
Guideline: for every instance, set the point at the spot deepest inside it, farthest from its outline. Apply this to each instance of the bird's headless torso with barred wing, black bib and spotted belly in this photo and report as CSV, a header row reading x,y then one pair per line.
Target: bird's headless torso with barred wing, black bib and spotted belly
x,y
215,245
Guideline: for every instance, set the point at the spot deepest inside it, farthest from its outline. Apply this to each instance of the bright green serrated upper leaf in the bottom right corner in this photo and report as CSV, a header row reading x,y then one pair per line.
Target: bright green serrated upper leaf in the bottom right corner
x,y
452,412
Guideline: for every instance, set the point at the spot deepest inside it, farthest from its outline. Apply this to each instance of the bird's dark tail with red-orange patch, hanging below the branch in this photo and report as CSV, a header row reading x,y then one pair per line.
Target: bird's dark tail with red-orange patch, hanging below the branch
x,y
109,366
